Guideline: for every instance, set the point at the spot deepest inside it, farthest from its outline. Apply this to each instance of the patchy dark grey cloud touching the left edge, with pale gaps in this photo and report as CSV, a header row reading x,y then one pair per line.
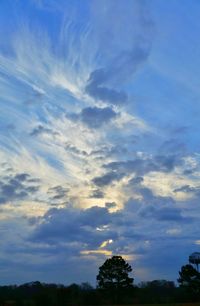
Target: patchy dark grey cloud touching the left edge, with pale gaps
x,y
16,187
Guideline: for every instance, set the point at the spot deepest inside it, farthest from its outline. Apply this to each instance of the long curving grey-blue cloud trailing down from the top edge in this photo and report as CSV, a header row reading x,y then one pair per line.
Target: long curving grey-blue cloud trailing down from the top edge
x,y
128,49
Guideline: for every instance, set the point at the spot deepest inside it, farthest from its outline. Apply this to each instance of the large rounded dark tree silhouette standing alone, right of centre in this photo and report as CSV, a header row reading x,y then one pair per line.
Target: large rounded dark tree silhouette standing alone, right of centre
x,y
113,274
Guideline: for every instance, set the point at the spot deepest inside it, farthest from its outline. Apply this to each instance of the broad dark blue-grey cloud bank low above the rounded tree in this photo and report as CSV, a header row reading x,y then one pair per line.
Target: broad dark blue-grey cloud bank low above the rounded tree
x,y
91,227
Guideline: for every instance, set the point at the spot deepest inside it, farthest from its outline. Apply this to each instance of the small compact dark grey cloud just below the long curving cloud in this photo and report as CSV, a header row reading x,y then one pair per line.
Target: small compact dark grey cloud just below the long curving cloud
x,y
95,117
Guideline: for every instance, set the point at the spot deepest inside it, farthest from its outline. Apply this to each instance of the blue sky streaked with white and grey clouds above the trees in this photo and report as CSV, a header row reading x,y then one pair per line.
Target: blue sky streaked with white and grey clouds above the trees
x,y
99,137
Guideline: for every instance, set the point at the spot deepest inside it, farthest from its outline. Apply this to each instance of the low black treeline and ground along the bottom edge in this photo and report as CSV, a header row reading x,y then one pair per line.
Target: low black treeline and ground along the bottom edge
x,y
40,294
